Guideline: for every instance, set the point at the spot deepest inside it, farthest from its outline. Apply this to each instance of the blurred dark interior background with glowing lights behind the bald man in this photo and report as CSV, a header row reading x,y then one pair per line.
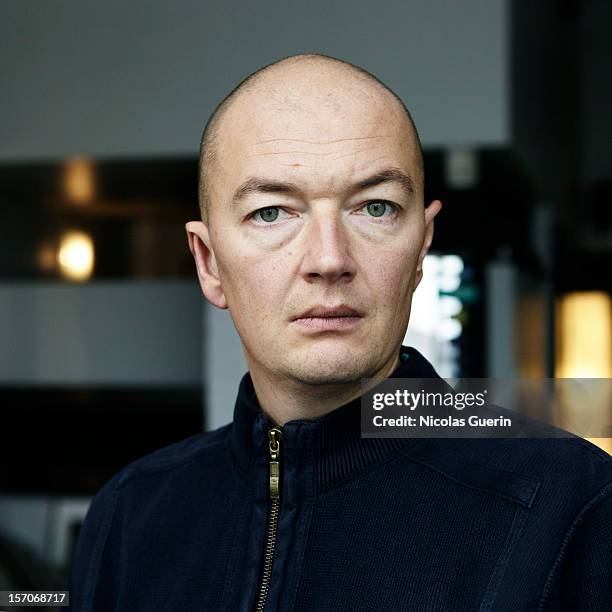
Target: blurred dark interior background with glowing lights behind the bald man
x,y
108,350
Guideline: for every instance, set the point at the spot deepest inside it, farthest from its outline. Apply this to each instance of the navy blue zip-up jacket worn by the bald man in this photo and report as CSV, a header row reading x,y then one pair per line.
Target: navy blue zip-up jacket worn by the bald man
x,y
363,524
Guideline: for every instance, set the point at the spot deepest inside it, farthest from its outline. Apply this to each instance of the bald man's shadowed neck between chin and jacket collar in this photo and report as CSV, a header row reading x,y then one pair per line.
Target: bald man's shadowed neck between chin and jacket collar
x,y
285,399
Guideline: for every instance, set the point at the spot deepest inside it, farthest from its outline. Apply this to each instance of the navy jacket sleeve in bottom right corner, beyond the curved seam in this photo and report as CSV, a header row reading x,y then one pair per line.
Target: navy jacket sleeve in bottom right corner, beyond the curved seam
x,y
583,570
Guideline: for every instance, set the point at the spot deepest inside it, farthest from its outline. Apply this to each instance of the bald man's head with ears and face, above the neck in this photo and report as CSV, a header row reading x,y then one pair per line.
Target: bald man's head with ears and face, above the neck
x,y
311,191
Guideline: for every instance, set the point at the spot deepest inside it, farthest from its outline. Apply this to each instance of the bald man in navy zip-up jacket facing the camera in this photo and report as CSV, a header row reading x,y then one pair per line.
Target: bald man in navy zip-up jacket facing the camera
x,y
313,235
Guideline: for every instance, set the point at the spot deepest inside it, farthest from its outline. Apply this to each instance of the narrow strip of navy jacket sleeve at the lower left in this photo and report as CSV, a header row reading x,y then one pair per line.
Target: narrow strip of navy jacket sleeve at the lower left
x,y
90,575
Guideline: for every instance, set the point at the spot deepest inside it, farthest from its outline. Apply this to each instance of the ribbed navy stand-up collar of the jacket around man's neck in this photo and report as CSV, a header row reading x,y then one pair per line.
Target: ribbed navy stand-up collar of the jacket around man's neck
x,y
332,442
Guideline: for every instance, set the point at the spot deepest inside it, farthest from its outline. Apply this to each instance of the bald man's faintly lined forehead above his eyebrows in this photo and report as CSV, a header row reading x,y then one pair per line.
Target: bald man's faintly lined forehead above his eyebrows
x,y
327,136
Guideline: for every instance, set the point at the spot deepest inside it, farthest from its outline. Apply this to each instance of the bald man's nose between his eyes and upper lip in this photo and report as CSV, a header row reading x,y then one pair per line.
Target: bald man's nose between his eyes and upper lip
x,y
327,249
